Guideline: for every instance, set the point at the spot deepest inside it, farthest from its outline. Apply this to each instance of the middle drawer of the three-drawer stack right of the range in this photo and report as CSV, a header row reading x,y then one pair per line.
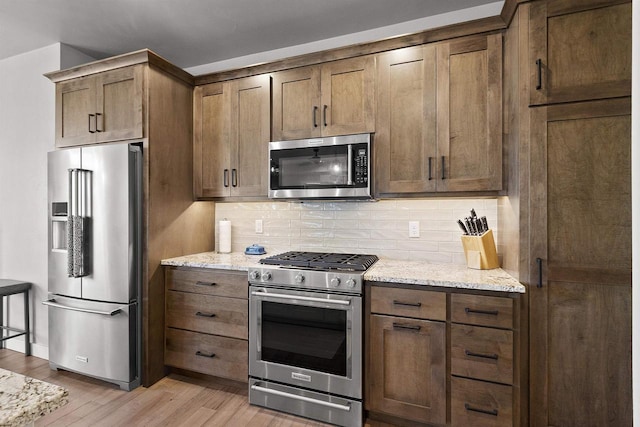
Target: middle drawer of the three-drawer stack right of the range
x,y
482,353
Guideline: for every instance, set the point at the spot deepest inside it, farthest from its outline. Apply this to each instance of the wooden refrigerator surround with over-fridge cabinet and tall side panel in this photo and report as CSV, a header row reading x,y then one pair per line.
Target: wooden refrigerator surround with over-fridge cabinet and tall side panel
x,y
154,99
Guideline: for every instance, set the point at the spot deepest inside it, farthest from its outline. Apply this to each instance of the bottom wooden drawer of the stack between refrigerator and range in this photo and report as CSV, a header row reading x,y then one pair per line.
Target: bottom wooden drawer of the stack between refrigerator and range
x,y
207,354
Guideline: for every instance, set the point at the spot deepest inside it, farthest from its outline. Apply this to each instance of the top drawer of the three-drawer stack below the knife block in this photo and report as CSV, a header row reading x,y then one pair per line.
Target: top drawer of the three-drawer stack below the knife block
x,y
482,310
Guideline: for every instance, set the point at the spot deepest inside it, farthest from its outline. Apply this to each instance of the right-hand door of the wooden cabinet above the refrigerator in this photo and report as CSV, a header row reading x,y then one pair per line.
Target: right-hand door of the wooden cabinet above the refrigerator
x,y
119,104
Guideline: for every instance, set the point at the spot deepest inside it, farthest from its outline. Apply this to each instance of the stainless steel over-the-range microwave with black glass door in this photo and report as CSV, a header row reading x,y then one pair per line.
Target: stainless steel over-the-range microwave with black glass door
x,y
336,167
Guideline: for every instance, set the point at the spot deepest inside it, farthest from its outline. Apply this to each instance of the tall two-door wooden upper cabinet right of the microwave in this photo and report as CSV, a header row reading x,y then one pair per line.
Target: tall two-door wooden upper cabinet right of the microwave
x,y
439,117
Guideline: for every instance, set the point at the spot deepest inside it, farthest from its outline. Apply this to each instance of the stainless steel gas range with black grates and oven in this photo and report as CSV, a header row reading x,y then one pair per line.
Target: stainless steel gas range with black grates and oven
x,y
305,335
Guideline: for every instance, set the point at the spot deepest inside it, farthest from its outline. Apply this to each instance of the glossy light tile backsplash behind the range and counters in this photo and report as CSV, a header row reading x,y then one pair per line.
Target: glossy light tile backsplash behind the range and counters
x,y
380,228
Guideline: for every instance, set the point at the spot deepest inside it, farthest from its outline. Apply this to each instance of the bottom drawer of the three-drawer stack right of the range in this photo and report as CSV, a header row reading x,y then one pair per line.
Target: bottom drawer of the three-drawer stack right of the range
x,y
480,404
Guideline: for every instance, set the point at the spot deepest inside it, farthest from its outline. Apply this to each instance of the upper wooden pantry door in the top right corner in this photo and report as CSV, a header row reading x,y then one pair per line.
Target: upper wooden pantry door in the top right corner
x,y
579,50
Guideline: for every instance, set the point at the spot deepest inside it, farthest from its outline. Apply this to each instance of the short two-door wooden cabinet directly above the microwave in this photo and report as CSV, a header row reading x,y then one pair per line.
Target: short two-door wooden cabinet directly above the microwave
x,y
335,98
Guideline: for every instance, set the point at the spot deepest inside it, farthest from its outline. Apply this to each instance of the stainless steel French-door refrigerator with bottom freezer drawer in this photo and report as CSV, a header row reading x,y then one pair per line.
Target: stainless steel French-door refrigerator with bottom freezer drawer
x,y
94,257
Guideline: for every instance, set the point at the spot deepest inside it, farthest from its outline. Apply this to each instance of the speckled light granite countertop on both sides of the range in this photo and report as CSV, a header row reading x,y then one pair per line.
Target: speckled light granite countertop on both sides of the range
x,y
385,270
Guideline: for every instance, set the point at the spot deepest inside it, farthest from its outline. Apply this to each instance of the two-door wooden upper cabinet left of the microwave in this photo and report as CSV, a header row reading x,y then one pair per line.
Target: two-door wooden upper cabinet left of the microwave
x,y
231,137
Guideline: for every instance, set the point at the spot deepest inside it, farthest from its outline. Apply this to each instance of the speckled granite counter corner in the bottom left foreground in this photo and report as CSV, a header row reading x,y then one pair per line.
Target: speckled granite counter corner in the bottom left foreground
x,y
24,399
